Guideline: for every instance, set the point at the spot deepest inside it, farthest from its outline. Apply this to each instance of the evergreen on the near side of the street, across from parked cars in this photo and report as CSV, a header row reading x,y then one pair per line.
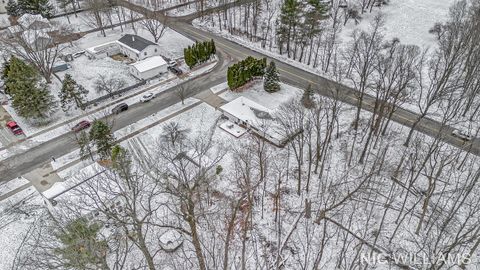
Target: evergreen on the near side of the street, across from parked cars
x,y
101,135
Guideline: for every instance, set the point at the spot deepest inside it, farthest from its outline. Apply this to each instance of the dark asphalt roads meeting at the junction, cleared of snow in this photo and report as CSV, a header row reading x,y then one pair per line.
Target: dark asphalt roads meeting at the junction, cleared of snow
x,y
228,52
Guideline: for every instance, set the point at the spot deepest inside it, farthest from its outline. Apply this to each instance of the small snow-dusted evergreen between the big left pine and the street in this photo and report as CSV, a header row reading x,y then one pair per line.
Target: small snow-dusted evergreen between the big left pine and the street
x,y
72,92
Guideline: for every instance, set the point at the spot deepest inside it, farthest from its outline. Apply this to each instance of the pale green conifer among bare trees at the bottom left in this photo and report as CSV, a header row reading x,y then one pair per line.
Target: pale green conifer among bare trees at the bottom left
x,y
81,247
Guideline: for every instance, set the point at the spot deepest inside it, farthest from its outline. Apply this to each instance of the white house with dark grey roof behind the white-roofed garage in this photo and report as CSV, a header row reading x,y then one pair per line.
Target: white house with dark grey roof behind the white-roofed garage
x,y
138,48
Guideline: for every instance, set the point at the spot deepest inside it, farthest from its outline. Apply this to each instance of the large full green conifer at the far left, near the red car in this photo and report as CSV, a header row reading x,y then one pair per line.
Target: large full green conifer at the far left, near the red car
x,y
31,99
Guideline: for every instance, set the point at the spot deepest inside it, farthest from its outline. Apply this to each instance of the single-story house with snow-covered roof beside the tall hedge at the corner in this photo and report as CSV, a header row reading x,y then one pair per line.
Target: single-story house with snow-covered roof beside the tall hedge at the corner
x,y
256,118
